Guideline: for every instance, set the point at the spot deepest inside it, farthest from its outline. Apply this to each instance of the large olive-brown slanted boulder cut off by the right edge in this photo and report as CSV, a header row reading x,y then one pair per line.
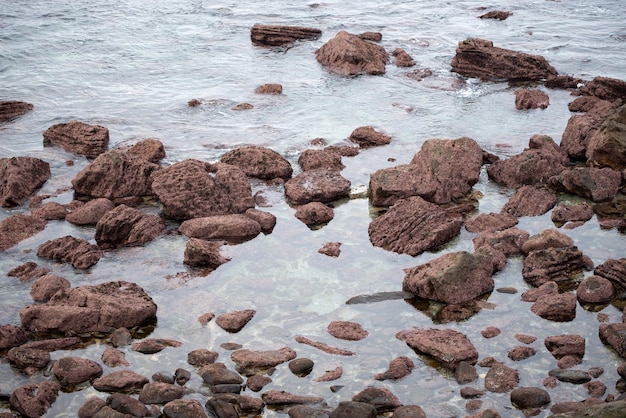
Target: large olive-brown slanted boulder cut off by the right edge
x,y
607,146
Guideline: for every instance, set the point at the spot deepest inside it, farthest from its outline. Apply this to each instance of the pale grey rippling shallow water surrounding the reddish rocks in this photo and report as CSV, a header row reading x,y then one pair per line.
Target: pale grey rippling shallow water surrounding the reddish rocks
x,y
132,66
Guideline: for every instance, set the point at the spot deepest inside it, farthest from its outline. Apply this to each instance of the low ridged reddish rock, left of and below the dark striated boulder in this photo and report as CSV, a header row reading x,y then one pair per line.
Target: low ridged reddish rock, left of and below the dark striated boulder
x,y
79,252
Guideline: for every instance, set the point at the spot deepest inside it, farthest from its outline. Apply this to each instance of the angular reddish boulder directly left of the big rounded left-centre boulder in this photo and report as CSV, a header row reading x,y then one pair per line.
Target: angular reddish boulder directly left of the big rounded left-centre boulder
x,y
114,175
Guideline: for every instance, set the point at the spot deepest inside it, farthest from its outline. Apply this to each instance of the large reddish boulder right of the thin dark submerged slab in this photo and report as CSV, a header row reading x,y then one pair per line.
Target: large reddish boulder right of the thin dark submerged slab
x,y
453,278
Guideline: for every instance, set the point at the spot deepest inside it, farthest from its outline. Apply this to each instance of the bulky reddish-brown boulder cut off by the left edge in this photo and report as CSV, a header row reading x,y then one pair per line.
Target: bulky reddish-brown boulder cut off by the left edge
x,y
20,177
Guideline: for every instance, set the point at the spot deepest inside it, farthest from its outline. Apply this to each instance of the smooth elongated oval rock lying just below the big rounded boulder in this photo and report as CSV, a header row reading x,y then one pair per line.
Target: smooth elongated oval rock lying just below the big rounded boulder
x,y
232,228
